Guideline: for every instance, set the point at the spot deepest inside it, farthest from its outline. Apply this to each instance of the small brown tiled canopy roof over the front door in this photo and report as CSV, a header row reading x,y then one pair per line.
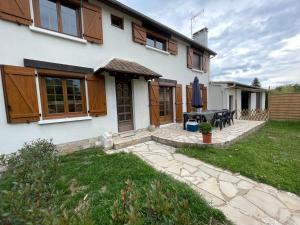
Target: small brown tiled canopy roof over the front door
x,y
128,67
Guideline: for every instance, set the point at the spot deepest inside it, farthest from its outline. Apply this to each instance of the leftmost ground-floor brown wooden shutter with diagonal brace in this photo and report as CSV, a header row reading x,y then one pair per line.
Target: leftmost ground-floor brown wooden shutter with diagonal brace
x,y
20,94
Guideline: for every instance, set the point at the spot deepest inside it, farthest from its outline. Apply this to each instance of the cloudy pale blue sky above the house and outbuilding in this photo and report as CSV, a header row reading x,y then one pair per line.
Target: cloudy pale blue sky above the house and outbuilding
x,y
253,38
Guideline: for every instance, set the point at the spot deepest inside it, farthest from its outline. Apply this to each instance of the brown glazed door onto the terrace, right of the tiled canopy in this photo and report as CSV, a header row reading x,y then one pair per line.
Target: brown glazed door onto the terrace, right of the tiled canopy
x,y
165,105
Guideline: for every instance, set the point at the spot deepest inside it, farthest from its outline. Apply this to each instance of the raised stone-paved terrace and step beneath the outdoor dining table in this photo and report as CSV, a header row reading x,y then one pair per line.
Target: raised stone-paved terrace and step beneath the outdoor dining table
x,y
174,135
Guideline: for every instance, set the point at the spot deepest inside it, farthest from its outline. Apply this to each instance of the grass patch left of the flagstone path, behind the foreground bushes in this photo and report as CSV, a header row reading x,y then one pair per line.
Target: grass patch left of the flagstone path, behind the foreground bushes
x,y
103,176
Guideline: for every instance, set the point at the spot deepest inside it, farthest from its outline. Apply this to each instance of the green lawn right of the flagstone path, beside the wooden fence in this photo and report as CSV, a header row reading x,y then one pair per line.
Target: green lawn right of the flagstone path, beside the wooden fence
x,y
270,155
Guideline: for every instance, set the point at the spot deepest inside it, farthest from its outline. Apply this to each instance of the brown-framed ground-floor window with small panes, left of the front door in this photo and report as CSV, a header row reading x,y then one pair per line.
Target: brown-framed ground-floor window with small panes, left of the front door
x,y
62,97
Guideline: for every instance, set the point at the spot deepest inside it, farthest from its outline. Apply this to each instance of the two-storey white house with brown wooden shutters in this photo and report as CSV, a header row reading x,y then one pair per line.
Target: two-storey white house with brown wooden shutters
x,y
74,69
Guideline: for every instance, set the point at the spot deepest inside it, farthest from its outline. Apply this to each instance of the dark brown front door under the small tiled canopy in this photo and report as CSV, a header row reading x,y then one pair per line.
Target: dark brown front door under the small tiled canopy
x,y
124,104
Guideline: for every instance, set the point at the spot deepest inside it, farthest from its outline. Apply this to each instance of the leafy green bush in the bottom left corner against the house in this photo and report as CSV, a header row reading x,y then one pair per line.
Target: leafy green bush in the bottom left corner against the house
x,y
29,199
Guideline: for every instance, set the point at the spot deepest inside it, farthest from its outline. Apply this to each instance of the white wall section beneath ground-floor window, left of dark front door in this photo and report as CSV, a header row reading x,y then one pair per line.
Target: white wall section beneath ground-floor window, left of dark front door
x,y
12,136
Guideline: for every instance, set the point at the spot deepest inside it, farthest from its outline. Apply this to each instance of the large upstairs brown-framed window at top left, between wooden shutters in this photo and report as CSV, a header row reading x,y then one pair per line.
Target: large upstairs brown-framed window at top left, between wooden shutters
x,y
58,16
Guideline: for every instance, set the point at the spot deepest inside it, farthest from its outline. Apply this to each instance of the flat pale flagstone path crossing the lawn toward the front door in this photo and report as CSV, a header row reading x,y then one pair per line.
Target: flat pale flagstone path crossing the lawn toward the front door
x,y
243,201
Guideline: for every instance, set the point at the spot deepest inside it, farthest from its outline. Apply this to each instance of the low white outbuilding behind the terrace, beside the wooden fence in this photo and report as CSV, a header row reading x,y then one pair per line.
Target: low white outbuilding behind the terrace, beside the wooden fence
x,y
236,96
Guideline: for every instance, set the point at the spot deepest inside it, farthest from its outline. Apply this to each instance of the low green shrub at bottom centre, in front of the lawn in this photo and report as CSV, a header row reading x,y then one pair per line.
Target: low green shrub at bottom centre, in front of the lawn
x,y
160,207
